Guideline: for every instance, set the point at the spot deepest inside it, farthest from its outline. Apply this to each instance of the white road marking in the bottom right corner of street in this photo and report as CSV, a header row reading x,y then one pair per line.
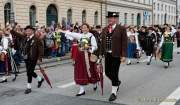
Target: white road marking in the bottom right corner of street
x,y
172,98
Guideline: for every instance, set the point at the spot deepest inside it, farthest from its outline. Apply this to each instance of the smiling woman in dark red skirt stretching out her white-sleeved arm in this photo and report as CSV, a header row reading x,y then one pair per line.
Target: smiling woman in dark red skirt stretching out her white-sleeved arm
x,y
84,69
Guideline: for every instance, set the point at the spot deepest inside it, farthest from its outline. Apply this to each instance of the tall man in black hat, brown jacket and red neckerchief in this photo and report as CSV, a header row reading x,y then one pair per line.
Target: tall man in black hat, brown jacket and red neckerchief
x,y
114,47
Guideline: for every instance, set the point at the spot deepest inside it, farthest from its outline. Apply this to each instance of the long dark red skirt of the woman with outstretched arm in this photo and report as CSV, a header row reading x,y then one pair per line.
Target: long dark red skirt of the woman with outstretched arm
x,y
81,76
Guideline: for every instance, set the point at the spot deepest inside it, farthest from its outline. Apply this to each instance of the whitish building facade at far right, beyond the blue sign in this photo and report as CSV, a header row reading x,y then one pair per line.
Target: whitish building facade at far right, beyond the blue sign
x,y
164,12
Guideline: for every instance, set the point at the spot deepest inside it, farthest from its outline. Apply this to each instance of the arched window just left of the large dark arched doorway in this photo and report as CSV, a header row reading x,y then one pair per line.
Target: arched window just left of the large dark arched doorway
x,y
32,15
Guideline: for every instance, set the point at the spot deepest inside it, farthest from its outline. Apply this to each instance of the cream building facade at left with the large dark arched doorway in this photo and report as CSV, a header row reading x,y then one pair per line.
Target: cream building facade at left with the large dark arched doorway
x,y
46,11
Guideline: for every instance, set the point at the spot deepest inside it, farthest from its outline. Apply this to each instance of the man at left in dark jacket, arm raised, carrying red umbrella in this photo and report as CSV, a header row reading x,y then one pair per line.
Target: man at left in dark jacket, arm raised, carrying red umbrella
x,y
32,53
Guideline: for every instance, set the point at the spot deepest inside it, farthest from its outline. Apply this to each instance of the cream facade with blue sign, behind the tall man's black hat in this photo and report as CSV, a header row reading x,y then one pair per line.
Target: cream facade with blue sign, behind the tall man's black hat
x,y
132,12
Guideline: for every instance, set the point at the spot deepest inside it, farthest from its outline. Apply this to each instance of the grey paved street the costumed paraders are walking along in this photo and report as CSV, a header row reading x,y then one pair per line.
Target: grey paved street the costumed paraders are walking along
x,y
141,85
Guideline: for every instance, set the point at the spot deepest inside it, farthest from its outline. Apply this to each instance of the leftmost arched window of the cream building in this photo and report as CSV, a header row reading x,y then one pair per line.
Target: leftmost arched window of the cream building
x,y
7,13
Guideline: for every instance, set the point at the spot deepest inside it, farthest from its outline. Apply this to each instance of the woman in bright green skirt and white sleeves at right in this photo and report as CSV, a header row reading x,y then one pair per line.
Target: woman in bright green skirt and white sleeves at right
x,y
166,46
